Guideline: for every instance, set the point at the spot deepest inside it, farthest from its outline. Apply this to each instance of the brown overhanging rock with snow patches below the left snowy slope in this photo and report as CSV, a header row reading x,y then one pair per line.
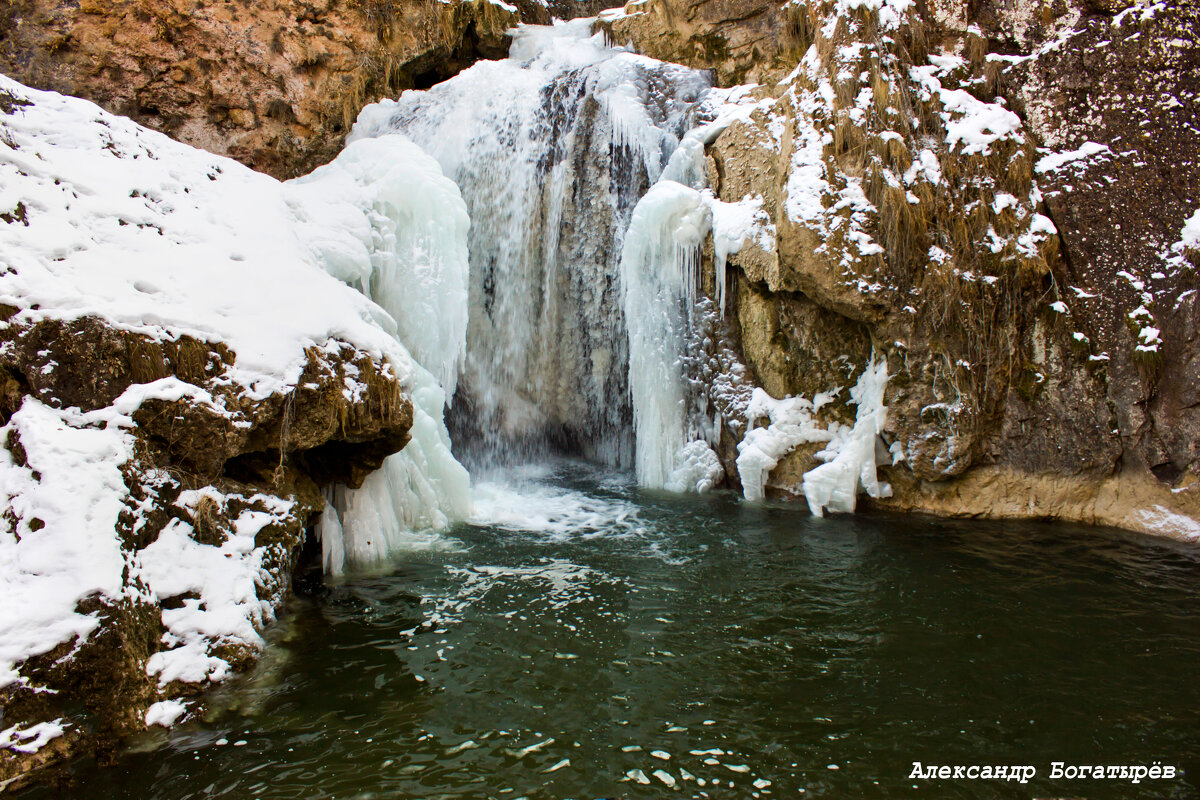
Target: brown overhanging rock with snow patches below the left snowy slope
x,y
211,483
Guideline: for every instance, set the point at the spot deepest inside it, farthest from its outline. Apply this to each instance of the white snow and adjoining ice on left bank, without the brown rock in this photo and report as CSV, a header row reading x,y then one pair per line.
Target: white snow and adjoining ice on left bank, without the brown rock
x,y
101,218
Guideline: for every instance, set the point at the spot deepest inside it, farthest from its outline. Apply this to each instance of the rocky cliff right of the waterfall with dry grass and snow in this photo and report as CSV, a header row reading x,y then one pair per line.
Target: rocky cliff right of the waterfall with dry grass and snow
x,y
1003,202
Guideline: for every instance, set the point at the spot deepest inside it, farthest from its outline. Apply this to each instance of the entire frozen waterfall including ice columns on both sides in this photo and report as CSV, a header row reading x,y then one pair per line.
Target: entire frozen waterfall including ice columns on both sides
x,y
560,323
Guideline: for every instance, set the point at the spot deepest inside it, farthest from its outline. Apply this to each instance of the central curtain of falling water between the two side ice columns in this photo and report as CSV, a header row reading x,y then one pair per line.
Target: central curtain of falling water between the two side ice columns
x,y
553,149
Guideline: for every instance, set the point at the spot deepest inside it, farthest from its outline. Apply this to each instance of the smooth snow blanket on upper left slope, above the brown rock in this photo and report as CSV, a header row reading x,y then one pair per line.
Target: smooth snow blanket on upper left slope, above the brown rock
x,y
163,239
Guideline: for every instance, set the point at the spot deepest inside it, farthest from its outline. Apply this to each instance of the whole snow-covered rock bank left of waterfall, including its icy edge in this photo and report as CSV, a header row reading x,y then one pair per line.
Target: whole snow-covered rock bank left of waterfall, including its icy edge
x,y
184,360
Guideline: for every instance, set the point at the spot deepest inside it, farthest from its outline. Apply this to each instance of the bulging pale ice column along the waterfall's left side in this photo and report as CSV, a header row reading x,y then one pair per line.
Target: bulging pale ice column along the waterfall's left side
x,y
401,239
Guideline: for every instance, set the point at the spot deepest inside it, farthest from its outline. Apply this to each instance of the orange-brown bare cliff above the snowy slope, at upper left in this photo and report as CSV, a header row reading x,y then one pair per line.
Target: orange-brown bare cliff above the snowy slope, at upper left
x,y
274,85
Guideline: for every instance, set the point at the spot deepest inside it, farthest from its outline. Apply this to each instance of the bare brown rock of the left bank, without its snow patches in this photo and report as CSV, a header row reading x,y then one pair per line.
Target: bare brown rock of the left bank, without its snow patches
x,y
236,455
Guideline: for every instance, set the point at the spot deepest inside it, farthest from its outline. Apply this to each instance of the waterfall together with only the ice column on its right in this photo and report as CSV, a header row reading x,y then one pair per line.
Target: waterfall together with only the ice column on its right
x,y
580,303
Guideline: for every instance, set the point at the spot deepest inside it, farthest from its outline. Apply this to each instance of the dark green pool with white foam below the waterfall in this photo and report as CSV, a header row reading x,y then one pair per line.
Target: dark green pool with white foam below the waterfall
x,y
755,648
